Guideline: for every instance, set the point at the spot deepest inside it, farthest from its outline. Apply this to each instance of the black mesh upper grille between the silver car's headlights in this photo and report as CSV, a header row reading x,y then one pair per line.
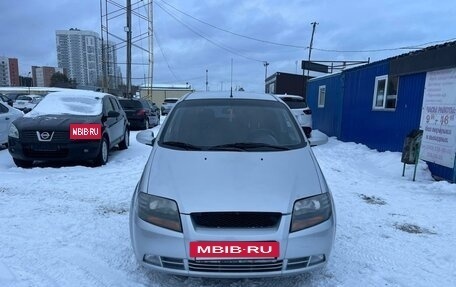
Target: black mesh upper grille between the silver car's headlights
x,y
236,219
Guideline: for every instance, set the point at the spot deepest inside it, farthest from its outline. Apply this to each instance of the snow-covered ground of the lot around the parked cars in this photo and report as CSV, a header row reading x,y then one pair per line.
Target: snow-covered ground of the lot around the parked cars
x,y
68,226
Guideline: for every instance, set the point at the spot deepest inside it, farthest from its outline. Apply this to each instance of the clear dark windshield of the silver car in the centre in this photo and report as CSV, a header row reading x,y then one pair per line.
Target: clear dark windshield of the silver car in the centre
x,y
232,125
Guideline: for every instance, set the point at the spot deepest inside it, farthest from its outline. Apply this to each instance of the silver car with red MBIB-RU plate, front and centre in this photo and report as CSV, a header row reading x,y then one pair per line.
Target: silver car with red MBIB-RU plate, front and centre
x,y
231,189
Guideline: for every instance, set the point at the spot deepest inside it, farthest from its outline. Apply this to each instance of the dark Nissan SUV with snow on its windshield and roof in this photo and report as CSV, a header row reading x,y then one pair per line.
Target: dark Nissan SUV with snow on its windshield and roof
x,y
73,125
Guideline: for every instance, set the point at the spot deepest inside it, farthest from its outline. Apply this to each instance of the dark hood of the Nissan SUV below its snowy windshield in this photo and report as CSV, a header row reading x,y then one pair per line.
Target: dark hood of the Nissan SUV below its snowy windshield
x,y
57,122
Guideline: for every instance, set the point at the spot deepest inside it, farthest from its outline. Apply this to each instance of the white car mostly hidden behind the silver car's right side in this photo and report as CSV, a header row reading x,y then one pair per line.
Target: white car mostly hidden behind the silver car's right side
x,y
301,110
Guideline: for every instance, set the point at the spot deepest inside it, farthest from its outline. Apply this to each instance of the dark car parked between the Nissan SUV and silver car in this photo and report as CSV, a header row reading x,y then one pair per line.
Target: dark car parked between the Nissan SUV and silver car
x,y
140,113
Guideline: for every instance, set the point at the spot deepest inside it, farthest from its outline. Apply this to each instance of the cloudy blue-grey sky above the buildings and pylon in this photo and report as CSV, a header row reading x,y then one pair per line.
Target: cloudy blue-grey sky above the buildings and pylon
x,y
194,36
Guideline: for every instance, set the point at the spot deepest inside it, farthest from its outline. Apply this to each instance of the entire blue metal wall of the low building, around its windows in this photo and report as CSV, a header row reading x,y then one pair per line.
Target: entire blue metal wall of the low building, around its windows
x,y
349,116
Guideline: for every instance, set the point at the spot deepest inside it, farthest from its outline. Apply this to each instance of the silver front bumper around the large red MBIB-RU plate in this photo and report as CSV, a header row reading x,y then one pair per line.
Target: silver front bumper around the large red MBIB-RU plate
x,y
168,251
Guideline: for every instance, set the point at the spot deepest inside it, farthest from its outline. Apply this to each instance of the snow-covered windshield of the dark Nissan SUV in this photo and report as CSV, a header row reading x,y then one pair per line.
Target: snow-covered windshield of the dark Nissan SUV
x,y
68,104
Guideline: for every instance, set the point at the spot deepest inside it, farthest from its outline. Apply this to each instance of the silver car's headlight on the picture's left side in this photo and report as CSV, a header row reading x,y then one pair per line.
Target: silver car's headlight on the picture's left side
x,y
159,211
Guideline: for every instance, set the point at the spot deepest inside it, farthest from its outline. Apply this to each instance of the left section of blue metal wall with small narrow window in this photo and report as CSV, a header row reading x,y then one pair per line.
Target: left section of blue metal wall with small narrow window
x,y
328,118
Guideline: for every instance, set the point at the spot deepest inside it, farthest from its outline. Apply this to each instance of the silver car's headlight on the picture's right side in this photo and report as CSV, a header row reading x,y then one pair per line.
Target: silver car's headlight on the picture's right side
x,y
310,211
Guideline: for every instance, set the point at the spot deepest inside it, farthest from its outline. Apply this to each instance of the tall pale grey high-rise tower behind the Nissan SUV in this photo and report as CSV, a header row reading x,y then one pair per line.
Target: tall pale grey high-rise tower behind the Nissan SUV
x,y
80,54
